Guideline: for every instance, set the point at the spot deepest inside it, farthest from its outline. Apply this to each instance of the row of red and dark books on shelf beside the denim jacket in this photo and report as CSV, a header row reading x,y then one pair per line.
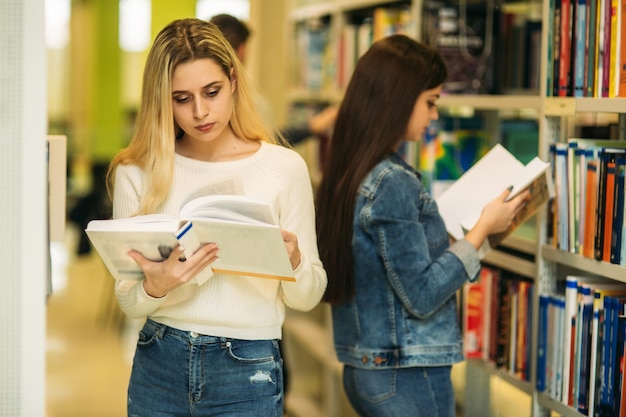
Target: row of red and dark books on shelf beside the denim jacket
x,y
497,320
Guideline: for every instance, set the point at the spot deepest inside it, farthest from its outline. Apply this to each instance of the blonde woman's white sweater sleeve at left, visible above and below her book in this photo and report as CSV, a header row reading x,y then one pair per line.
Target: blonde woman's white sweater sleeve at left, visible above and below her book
x,y
131,296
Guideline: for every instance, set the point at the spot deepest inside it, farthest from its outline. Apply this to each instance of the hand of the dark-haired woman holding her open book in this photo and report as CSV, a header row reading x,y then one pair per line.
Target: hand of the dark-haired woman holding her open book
x,y
497,216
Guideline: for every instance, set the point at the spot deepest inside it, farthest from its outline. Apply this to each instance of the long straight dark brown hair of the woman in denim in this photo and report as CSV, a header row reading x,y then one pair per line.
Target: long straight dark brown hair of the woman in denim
x,y
371,123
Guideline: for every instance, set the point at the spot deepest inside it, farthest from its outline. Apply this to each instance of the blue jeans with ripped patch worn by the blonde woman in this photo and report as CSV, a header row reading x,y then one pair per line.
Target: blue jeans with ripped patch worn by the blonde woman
x,y
177,373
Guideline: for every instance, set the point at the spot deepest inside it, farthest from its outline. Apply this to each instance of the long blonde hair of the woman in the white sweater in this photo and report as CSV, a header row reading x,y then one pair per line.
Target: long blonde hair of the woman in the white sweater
x,y
153,143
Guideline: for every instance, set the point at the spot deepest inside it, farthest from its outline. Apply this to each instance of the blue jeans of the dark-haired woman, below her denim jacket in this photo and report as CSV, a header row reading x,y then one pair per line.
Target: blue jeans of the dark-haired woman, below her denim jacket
x,y
403,392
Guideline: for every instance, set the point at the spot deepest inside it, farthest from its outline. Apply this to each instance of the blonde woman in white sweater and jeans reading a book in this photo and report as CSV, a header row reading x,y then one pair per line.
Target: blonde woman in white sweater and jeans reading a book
x,y
213,348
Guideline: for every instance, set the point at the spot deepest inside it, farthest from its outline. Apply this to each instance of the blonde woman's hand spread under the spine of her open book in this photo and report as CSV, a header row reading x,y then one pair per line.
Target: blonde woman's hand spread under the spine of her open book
x,y
161,277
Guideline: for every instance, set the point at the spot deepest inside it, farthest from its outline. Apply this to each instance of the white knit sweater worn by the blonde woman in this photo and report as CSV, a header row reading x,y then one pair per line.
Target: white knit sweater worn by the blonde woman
x,y
226,305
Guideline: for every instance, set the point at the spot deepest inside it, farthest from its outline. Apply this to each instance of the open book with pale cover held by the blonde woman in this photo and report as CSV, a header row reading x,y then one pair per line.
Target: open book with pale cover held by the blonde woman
x,y
250,242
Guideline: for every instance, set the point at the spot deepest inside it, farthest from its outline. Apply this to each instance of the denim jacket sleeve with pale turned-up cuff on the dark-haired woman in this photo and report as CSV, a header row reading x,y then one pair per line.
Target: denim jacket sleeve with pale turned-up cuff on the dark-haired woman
x,y
404,223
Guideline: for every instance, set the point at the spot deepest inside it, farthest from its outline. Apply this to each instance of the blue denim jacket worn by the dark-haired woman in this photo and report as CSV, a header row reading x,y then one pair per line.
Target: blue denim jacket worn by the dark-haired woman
x,y
407,274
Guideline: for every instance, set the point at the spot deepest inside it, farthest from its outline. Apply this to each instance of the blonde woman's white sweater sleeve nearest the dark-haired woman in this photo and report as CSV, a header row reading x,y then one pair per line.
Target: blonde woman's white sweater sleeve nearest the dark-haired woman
x,y
297,215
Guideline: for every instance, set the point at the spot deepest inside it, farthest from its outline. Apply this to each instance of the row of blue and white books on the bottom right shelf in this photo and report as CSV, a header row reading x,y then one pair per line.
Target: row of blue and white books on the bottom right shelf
x,y
580,345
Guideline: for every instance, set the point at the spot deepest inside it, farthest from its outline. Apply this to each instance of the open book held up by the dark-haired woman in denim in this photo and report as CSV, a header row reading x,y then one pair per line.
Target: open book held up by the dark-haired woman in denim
x,y
461,204
